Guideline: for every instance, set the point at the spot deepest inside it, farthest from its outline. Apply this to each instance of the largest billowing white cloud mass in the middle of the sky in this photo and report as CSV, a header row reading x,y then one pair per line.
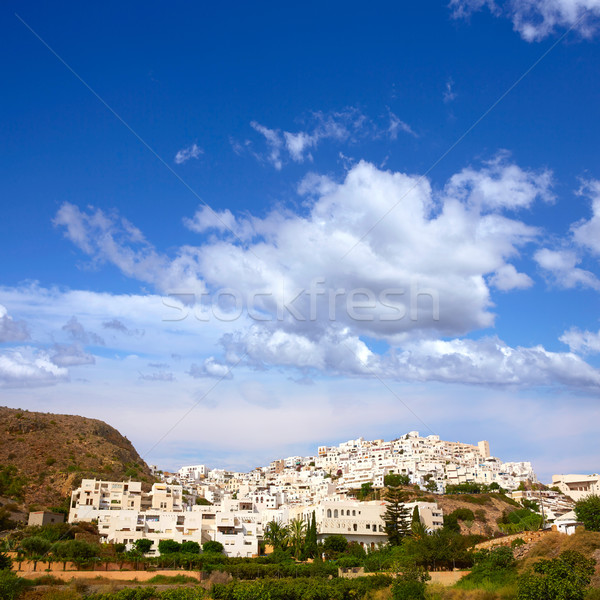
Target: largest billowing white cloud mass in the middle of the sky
x,y
421,268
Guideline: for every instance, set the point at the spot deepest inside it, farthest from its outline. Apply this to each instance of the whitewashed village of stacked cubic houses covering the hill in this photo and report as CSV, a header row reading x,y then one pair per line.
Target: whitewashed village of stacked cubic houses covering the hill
x,y
201,504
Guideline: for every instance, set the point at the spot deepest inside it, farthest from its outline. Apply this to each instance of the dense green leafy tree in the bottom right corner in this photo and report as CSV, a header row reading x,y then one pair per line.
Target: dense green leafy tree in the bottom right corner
x,y
562,578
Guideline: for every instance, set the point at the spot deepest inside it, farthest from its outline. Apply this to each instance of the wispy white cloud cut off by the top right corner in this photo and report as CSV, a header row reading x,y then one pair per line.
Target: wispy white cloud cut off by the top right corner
x,y
536,19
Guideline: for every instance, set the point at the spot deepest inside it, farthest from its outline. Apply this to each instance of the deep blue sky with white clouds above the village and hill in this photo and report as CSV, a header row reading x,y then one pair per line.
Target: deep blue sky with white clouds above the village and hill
x,y
437,162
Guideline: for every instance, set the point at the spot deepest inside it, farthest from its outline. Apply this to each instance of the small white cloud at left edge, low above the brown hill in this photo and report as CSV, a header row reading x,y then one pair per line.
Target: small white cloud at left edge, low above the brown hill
x,y
27,367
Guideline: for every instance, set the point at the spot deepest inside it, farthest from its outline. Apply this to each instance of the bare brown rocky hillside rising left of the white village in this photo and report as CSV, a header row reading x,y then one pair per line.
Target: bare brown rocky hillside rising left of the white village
x,y
43,456
